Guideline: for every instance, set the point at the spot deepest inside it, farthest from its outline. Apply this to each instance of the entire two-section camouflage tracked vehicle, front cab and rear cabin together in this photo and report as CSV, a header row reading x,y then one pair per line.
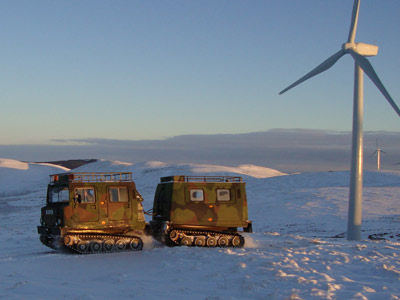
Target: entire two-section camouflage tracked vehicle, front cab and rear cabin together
x,y
103,212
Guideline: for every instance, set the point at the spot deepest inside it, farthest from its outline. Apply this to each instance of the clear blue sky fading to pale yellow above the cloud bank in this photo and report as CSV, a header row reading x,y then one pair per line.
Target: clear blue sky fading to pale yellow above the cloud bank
x,y
156,69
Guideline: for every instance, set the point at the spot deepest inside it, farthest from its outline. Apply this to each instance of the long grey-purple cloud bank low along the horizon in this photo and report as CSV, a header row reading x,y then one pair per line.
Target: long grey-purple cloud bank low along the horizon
x,y
287,150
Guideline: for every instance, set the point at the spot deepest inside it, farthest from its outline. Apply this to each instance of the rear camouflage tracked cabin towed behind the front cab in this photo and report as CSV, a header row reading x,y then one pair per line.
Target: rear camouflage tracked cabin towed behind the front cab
x,y
200,211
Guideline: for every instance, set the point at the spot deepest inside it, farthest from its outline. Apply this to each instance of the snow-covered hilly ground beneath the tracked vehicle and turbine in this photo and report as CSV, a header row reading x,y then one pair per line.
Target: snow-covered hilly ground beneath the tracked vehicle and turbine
x,y
297,251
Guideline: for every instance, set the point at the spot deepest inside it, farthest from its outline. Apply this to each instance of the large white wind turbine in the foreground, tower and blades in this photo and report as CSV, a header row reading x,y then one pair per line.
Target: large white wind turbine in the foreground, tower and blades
x,y
358,51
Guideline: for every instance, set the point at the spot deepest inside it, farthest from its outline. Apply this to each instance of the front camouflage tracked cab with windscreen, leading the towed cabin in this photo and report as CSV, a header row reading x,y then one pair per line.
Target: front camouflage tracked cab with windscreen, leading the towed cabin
x,y
92,213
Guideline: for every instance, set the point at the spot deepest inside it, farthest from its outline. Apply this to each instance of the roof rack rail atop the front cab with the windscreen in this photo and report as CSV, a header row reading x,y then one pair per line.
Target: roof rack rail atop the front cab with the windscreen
x,y
92,177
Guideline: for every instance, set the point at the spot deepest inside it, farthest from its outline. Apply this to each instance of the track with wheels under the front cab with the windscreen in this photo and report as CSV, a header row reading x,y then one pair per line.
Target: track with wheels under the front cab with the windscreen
x,y
100,237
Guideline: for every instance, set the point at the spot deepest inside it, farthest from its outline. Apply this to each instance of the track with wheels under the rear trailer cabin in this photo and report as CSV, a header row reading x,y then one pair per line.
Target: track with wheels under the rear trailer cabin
x,y
195,233
